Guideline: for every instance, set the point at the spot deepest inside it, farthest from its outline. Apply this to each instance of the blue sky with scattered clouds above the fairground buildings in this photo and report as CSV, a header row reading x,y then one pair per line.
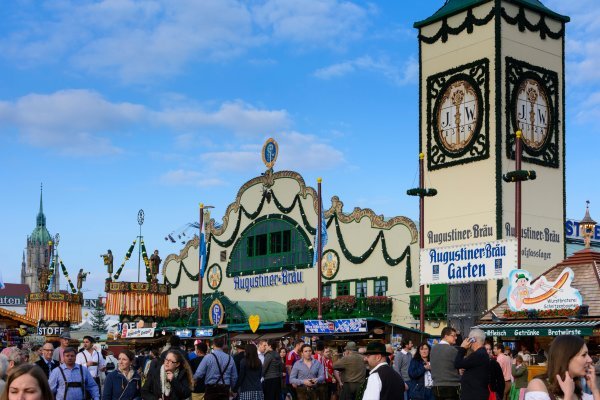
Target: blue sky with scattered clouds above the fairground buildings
x,y
118,105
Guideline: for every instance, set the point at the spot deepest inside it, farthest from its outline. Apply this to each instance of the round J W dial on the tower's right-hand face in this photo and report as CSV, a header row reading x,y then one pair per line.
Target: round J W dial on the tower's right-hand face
x,y
532,113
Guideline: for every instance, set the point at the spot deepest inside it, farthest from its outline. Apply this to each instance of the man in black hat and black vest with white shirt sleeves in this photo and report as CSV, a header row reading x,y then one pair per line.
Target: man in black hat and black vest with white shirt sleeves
x,y
384,383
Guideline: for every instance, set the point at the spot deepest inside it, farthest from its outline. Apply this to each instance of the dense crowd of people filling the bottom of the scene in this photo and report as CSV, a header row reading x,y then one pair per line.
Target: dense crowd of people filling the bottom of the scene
x,y
475,369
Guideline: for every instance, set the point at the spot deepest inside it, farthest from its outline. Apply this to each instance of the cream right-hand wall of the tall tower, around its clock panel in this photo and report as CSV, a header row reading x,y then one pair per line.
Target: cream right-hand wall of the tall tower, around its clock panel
x,y
542,199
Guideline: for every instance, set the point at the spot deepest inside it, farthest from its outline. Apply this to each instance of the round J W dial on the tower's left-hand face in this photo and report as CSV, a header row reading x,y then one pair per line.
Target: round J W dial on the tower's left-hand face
x,y
457,115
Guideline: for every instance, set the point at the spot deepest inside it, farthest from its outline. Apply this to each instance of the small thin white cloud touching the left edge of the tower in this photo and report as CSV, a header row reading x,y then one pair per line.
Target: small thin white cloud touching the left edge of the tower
x,y
407,73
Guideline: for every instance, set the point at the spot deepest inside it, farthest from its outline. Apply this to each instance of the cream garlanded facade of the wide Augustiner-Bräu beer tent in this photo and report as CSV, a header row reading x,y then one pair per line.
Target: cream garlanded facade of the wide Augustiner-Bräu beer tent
x,y
358,236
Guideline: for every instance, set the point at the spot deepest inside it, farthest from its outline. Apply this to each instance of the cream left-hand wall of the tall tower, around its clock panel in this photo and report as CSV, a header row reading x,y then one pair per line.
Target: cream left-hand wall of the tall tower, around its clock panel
x,y
466,193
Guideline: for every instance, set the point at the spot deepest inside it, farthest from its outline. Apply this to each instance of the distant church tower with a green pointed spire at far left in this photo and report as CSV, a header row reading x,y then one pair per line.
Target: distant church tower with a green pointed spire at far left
x,y
39,253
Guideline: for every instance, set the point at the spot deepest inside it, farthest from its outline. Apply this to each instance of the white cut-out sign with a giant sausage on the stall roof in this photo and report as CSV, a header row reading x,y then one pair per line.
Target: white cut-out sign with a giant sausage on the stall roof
x,y
542,295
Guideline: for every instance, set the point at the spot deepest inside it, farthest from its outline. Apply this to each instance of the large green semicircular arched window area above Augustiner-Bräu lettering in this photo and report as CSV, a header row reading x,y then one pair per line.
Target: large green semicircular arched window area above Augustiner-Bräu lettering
x,y
272,243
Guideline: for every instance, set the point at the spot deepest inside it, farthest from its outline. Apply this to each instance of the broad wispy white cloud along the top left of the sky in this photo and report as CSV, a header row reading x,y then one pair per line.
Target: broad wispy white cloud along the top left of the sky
x,y
138,41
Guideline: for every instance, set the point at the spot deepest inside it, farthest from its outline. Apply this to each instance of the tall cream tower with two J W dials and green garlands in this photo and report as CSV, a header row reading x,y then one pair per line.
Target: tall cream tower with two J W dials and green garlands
x,y
487,69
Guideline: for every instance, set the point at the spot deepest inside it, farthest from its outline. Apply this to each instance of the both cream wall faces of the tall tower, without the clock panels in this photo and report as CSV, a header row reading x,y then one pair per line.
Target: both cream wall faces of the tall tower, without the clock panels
x,y
467,193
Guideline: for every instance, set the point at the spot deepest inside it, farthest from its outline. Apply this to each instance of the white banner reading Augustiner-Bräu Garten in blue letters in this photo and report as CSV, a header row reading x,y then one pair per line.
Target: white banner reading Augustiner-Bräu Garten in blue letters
x,y
468,263
